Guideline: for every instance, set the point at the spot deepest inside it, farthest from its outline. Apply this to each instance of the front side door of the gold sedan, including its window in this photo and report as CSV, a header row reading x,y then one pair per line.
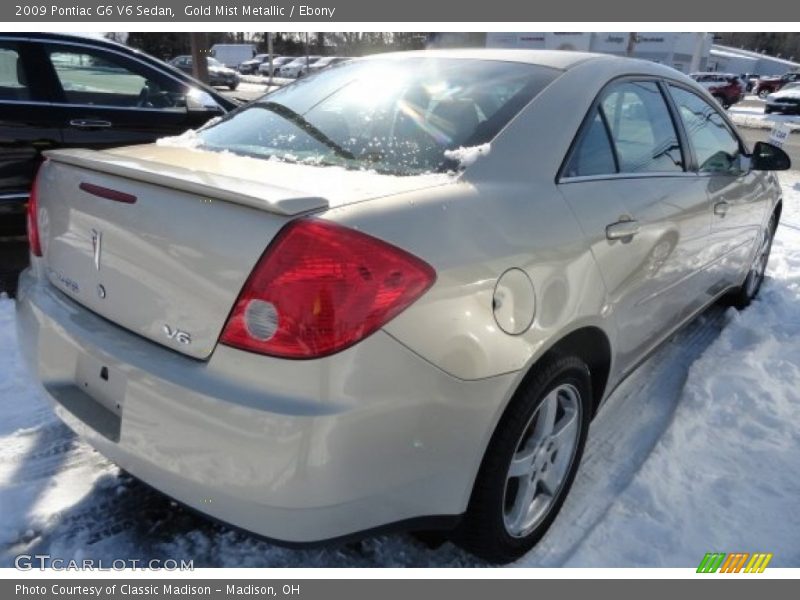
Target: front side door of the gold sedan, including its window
x,y
736,194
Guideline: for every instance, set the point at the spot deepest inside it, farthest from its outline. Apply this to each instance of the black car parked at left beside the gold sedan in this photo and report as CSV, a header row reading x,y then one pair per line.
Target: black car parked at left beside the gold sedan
x,y
69,91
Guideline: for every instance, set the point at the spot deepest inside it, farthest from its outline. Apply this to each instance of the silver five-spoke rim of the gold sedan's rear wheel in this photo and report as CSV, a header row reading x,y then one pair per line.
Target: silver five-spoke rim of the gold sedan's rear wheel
x,y
542,460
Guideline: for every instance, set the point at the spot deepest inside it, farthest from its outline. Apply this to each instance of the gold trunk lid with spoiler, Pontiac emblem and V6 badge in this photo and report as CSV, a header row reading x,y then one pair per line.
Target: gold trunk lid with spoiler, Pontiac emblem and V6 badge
x,y
163,249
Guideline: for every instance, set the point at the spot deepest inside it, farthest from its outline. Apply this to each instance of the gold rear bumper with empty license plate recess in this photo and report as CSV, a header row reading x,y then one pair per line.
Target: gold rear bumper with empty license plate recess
x,y
297,451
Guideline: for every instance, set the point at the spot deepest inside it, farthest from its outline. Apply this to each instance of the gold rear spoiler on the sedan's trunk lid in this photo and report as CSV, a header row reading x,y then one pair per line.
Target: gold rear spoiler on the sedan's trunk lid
x,y
261,196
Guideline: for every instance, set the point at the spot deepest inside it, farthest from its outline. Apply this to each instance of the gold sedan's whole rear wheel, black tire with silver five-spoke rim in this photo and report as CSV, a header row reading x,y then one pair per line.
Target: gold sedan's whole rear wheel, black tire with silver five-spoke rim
x,y
500,525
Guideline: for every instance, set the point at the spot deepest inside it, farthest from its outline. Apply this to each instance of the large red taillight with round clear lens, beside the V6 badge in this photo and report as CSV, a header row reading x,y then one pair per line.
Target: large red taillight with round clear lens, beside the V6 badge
x,y
320,288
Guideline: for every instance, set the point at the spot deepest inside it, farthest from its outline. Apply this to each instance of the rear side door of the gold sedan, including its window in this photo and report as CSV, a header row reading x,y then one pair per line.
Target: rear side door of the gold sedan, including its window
x,y
645,215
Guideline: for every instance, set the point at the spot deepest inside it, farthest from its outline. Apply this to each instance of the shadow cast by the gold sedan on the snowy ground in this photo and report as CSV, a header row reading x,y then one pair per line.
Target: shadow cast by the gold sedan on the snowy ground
x,y
120,517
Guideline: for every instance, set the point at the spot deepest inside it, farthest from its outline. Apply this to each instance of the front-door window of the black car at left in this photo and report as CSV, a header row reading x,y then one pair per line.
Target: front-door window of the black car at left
x,y
96,78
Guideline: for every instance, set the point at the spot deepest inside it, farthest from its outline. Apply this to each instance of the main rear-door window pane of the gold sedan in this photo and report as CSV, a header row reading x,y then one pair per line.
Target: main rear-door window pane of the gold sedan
x,y
641,128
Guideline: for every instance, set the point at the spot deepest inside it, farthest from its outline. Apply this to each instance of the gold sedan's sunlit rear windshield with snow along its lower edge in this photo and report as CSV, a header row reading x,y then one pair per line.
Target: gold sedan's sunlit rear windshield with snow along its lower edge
x,y
392,116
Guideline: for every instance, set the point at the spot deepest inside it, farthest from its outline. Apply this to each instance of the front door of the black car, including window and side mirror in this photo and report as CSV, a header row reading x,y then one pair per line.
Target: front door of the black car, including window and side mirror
x,y
105,98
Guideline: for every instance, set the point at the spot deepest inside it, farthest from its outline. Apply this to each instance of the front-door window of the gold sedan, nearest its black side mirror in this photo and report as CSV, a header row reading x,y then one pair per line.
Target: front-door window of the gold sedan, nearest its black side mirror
x,y
716,147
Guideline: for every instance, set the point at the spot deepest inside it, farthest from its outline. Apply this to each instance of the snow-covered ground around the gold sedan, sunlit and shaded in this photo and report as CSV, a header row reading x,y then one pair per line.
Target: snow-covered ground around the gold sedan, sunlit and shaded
x,y
698,451
